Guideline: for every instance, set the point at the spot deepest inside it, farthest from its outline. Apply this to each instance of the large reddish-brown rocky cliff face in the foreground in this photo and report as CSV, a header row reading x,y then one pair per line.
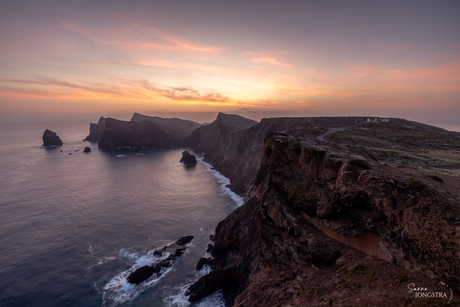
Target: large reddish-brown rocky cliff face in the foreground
x,y
313,215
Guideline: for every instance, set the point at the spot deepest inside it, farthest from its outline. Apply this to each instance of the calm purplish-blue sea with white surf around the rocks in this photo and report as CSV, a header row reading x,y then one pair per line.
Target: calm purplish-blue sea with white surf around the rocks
x,y
73,224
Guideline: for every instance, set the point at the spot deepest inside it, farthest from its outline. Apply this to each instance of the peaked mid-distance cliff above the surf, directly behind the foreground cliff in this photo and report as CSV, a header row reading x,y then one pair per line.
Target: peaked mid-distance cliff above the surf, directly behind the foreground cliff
x,y
234,144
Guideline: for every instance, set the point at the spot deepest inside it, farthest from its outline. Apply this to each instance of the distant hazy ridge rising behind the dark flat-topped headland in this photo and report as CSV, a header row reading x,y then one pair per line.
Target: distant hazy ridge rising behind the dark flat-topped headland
x,y
176,127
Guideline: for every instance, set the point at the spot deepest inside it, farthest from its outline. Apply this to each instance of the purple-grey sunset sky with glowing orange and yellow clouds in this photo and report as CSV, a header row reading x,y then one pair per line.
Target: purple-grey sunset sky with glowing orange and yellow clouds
x,y
194,58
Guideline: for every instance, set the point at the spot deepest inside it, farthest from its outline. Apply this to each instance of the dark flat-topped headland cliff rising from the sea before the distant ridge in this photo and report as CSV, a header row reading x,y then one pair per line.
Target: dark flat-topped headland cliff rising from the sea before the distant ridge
x,y
118,134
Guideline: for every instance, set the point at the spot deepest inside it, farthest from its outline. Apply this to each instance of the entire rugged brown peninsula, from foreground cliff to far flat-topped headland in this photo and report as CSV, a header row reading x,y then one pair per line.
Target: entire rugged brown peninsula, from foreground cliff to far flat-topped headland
x,y
338,211
